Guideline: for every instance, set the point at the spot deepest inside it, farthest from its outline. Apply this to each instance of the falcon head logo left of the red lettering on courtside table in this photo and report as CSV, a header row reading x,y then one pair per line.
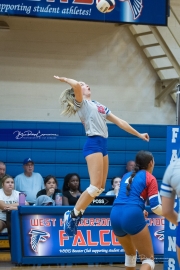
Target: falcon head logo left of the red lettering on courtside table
x,y
36,237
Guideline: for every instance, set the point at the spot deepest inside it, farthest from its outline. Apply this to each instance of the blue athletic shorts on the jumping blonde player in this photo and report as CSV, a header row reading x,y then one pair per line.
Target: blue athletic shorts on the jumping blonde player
x,y
95,144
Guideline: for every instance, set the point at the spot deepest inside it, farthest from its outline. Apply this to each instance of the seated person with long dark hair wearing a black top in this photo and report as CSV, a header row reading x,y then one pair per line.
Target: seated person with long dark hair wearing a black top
x,y
71,189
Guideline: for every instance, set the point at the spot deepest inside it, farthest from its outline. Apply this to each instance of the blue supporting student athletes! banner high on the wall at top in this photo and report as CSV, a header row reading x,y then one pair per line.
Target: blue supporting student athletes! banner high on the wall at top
x,y
121,11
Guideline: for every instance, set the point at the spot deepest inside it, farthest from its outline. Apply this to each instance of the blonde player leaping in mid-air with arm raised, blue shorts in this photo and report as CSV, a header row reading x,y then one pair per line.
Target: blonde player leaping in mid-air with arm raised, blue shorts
x,y
93,115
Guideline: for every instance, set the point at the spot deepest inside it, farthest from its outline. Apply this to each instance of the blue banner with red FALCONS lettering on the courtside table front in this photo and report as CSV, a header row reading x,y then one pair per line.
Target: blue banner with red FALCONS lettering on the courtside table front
x,y
43,235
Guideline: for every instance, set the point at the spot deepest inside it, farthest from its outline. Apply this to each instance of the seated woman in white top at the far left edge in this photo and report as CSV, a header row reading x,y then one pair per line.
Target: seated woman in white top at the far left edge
x,y
9,199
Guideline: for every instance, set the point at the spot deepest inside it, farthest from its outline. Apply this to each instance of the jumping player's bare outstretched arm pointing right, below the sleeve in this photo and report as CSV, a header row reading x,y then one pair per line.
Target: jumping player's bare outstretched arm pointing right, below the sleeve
x,y
125,126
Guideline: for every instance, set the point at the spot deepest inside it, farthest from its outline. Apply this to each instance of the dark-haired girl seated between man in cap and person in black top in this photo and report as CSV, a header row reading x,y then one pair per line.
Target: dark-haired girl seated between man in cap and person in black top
x,y
50,183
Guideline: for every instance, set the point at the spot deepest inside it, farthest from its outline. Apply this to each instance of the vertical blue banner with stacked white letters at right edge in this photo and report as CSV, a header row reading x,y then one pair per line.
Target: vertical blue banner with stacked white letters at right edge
x,y
173,147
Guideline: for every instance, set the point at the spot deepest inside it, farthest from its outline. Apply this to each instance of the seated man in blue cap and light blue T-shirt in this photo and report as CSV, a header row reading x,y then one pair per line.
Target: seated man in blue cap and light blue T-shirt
x,y
29,182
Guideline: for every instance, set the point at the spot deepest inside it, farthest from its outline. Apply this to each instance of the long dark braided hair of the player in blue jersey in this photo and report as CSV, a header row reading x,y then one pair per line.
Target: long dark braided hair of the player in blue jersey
x,y
141,163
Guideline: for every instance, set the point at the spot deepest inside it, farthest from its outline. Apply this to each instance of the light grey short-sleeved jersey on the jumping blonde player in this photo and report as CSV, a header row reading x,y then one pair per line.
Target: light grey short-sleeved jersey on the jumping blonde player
x,y
93,116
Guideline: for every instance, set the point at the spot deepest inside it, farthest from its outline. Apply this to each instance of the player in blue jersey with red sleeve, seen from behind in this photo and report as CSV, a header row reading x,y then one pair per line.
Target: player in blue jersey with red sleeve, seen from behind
x,y
127,215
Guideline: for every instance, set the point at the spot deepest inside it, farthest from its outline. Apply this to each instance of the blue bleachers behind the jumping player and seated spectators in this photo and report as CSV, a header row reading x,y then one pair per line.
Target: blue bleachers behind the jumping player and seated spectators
x,y
64,154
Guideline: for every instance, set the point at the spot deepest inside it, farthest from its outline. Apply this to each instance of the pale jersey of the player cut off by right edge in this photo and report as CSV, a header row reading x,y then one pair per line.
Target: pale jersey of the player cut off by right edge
x,y
170,186
